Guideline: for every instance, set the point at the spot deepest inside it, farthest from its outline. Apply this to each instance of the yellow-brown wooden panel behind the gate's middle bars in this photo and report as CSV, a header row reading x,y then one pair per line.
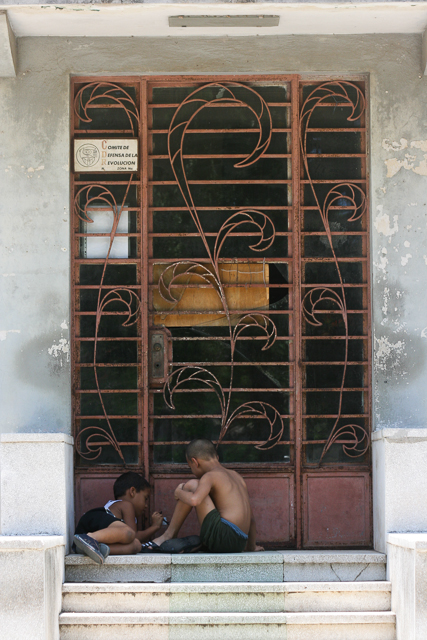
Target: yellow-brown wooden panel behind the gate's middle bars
x,y
194,291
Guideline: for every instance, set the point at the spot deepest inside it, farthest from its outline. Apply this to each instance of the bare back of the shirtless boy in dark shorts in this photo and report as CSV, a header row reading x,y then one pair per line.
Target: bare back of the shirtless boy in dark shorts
x,y
230,496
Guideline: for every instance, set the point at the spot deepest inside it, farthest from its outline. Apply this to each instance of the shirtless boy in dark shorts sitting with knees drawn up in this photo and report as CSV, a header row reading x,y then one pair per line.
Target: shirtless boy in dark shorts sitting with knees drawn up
x,y
221,500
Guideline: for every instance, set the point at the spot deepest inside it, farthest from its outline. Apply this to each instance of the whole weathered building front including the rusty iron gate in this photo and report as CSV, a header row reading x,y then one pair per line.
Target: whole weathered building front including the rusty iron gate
x,y
213,224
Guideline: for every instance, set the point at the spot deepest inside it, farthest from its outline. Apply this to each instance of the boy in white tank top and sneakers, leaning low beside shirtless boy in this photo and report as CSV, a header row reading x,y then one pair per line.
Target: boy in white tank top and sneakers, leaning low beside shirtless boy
x,y
113,528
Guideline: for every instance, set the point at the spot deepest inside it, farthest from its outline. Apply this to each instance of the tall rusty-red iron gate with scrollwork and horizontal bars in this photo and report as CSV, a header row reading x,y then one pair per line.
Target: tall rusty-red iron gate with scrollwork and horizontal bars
x,y
221,290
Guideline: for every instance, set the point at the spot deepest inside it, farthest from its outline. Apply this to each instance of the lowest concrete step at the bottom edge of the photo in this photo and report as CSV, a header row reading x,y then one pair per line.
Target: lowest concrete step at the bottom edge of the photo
x,y
227,626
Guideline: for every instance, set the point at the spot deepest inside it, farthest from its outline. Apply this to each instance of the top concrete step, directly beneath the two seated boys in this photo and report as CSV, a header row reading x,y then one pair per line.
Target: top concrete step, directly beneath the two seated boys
x,y
266,566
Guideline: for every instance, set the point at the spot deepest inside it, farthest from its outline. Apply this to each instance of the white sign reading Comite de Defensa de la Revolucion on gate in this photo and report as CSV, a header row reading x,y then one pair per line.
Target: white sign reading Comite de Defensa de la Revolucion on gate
x,y
93,155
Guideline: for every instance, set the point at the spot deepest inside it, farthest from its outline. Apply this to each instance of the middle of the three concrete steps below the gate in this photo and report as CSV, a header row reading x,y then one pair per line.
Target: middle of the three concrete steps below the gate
x,y
226,597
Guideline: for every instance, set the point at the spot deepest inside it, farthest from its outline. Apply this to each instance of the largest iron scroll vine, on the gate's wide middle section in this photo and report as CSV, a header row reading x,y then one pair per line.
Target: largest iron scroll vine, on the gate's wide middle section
x,y
209,273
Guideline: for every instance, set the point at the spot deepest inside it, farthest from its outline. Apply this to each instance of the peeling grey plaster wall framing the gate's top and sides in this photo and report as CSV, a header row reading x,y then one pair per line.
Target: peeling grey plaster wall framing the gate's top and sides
x,y
34,204
